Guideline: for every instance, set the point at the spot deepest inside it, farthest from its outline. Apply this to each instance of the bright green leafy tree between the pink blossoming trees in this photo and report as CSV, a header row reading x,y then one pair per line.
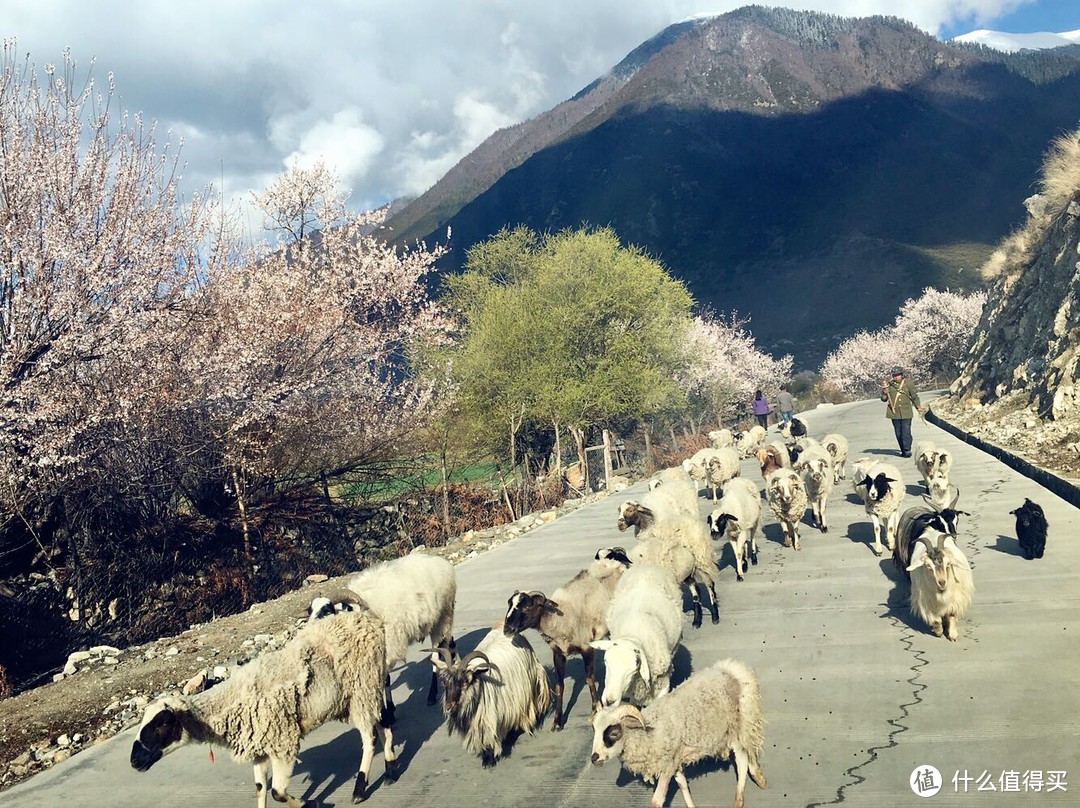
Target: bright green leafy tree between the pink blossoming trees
x,y
573,329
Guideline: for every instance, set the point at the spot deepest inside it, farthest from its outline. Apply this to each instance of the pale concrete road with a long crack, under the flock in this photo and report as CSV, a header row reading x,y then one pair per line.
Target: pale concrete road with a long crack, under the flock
x,y
858,696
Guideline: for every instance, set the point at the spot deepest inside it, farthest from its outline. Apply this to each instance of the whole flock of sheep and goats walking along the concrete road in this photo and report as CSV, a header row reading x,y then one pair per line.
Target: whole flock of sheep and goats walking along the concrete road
x,y
627,604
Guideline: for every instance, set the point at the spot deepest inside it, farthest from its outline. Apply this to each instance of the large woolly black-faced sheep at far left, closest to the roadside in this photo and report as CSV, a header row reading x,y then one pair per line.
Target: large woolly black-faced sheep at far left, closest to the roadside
x,y
333,669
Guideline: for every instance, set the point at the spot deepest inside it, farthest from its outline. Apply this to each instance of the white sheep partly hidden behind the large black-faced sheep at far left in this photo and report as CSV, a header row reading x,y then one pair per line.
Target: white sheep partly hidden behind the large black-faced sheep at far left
x,y
415,597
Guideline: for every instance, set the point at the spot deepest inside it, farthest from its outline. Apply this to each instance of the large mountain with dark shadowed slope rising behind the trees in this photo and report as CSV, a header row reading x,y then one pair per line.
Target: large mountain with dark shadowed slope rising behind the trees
x,y
809,171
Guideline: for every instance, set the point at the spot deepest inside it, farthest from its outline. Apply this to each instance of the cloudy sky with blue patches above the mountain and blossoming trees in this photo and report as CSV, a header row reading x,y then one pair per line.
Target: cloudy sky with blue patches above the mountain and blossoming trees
x,y
391,93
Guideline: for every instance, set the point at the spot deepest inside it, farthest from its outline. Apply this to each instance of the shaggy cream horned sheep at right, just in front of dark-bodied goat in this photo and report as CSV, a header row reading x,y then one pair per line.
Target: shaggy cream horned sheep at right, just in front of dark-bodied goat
x,y
942,585
